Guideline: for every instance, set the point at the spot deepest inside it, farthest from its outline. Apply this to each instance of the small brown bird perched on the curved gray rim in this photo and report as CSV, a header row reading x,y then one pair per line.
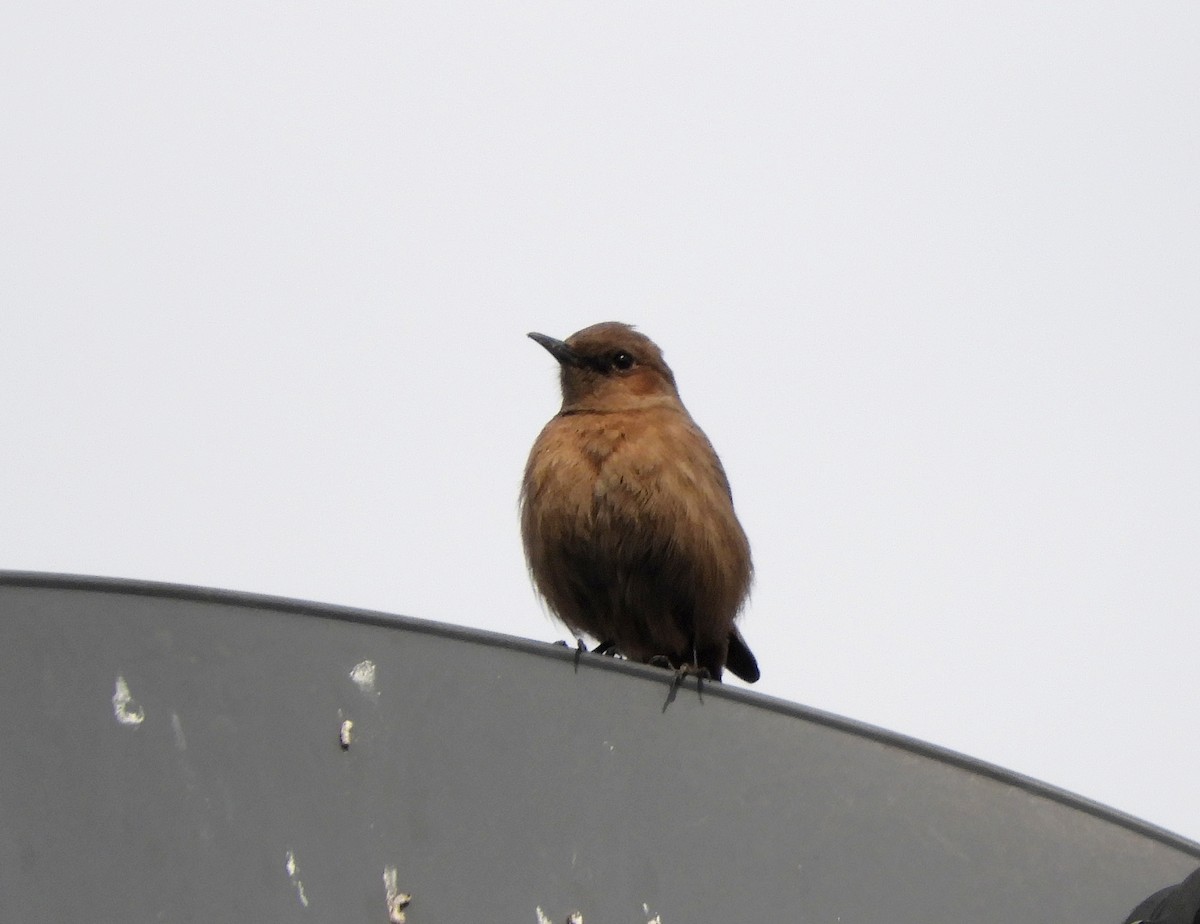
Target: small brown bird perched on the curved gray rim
x,y
627,515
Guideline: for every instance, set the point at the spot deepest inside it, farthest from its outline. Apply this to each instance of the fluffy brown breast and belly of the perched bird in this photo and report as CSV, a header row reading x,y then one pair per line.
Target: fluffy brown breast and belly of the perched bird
x,y
629,529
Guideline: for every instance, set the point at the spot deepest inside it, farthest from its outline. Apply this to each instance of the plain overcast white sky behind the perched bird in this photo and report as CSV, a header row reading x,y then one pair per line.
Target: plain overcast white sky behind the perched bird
x,y
928,274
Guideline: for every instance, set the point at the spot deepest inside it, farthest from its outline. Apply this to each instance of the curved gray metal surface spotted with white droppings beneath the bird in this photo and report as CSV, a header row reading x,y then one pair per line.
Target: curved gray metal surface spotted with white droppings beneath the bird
x,y
172,755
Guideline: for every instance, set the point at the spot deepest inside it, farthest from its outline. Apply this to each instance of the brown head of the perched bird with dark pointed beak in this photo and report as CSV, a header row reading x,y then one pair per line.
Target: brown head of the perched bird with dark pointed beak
x,y
611,368
